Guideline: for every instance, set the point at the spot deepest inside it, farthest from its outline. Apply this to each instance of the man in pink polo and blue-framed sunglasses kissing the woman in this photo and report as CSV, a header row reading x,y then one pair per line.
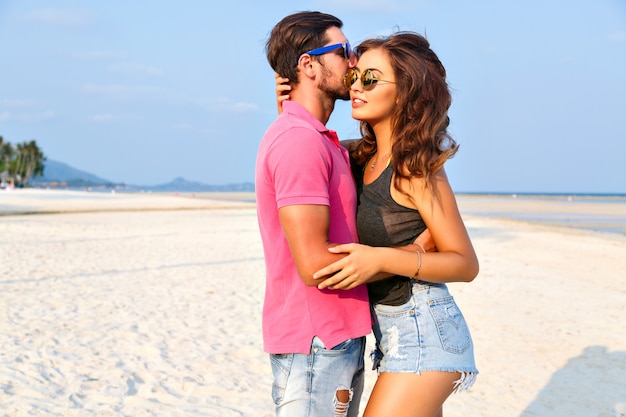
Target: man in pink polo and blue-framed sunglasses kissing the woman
x,y
306,198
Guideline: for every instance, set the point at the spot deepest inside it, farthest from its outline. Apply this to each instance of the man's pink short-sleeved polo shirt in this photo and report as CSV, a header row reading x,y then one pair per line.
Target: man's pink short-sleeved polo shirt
x,y
300,161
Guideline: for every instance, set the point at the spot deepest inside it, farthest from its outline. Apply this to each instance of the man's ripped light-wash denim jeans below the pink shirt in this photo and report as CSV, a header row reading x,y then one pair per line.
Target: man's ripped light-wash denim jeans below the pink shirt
x,y
306,385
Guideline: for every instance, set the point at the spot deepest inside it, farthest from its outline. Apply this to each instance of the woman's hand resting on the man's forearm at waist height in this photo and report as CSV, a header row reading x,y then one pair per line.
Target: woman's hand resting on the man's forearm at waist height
x,y
356,269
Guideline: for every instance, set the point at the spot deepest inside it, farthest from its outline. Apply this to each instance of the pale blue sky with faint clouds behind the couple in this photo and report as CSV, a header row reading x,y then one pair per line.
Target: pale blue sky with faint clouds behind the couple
x,y
143,92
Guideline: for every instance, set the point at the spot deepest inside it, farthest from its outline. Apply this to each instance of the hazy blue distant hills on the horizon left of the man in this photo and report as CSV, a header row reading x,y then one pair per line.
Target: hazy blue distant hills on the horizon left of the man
x,y
60,175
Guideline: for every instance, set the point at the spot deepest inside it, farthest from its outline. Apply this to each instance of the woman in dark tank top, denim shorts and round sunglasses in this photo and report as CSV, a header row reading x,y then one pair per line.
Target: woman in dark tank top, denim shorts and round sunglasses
x,y
424,350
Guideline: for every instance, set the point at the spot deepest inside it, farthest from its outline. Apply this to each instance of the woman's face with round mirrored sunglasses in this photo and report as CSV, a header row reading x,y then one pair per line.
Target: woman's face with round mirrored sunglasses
x,y
376,103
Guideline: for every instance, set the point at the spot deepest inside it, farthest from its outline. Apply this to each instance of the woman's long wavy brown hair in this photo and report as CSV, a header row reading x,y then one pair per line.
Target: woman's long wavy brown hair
x,y
420,143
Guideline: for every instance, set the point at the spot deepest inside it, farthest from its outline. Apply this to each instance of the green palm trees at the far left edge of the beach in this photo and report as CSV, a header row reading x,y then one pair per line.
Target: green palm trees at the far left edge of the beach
x,y
19,163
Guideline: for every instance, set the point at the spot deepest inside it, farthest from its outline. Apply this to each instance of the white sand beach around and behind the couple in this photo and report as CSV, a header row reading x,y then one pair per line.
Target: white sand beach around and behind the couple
x,y
150,305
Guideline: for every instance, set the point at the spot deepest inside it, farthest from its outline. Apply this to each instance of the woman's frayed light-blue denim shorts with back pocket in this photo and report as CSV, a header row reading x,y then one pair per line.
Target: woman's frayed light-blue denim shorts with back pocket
x,y
427,333
